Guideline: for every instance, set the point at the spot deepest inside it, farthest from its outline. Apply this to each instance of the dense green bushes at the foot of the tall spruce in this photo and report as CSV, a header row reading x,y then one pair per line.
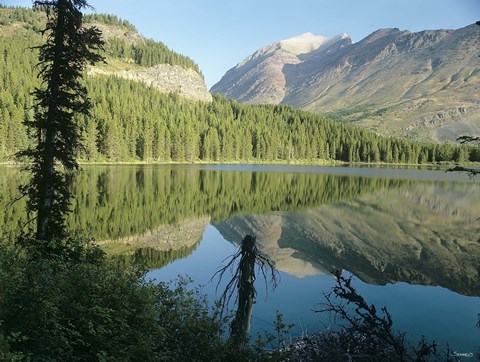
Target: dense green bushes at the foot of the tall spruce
x,y
81,306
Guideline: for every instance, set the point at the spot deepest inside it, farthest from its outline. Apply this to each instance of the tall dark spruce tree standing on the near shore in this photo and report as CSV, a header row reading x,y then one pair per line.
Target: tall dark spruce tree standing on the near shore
x,y
68,48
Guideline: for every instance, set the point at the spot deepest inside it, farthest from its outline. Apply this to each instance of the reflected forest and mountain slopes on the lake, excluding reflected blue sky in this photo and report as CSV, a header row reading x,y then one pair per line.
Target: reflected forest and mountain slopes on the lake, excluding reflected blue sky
x,y
407,228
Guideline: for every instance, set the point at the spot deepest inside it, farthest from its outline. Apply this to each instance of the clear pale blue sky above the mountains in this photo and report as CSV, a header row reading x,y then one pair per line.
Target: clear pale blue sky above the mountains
x,y
218,34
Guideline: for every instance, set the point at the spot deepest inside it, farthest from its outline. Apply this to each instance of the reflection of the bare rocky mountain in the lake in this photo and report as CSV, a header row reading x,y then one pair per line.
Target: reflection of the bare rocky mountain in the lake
x,y
420,235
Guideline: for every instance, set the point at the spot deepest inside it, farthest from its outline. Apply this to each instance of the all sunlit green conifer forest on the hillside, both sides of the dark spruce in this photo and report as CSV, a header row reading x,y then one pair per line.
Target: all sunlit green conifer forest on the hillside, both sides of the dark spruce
x,y
133,122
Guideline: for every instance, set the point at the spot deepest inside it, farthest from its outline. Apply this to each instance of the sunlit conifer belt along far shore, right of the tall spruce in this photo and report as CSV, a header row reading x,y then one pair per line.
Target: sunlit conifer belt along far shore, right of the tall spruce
x,y
132,122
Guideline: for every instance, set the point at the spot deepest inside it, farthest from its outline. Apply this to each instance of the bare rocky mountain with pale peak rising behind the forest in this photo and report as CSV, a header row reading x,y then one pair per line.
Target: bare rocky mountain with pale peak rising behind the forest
x,y
421,85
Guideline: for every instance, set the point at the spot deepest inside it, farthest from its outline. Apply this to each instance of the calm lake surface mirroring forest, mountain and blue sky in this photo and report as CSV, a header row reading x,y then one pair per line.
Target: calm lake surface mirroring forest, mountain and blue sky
x,y
408,236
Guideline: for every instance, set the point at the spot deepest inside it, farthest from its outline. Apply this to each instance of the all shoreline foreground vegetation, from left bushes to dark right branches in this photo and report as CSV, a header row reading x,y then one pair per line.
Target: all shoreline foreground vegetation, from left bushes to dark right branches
x,y
82,306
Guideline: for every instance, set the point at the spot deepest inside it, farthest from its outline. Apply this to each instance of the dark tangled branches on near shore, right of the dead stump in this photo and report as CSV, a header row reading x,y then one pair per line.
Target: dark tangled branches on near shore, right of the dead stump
x,y
366,333
